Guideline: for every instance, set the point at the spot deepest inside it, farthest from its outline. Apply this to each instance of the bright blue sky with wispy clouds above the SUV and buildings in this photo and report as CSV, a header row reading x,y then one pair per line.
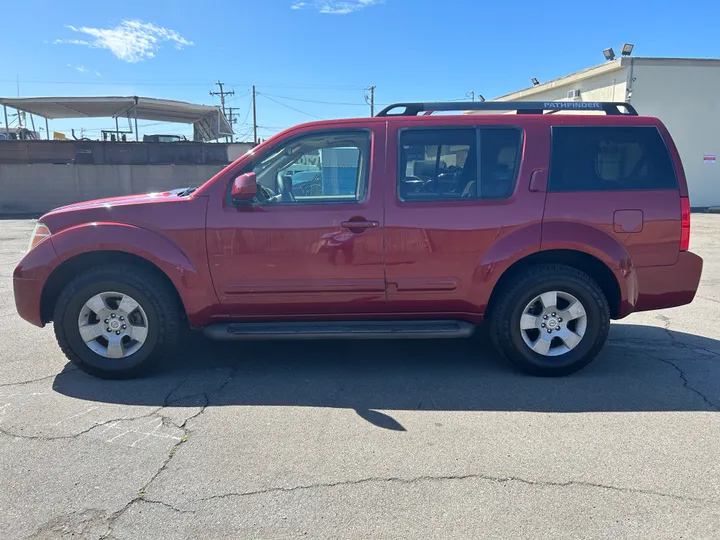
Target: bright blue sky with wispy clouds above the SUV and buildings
x,y
299,52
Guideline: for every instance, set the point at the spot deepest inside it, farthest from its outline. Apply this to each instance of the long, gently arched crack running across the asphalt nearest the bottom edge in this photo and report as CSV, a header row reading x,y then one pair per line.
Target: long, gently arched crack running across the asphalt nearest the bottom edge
x,y
482,477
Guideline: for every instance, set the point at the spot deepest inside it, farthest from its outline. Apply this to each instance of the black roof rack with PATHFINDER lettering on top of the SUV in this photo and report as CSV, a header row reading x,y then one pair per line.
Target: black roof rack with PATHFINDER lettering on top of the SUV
x,y
522,107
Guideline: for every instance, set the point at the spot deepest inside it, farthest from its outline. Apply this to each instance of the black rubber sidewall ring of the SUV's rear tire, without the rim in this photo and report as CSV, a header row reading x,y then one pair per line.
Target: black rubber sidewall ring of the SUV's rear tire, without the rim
x,y
593,333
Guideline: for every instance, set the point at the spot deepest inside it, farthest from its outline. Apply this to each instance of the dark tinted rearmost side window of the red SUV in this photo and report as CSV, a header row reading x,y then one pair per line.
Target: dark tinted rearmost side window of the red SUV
x,y
600,158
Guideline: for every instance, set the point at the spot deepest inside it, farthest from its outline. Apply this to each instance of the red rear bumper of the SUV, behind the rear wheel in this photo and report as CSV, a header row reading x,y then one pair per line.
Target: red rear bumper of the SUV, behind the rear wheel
x,y
668,286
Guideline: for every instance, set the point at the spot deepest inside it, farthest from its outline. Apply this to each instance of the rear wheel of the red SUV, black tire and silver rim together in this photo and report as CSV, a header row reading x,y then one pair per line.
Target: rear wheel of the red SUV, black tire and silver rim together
x,y
569,284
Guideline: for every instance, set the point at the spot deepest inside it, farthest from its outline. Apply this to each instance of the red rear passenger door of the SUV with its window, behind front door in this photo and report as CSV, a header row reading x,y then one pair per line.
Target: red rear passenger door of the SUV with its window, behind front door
x,y
454,193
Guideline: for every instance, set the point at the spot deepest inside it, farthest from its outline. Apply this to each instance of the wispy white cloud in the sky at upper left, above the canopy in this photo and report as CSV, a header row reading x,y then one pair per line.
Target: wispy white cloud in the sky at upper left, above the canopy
x,y
130,41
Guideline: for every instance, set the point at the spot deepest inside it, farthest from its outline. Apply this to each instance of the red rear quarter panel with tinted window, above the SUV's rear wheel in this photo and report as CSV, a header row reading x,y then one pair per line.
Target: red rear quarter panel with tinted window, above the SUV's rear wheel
x,y
620,179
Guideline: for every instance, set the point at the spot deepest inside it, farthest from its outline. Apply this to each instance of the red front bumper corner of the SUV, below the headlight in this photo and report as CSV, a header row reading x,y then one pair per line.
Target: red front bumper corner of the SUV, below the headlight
x,y
29,279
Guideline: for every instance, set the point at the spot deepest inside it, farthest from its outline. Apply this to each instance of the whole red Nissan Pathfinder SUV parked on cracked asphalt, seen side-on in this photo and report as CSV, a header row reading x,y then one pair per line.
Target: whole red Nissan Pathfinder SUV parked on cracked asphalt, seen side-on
x,y
398,226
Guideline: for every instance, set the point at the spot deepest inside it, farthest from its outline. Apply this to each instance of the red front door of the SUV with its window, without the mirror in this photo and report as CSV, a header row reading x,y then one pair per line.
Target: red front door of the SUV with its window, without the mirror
x,y
312,242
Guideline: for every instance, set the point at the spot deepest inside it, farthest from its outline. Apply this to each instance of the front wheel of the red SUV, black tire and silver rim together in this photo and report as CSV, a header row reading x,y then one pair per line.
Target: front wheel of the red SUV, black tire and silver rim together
x,y
155,322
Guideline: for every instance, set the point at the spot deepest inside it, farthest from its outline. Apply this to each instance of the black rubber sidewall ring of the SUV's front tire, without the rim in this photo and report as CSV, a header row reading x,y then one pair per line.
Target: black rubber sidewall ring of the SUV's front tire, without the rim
x,y
91,359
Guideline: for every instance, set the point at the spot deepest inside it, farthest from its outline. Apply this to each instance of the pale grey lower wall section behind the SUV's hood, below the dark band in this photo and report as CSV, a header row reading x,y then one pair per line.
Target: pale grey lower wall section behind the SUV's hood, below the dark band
x,y
37,188
